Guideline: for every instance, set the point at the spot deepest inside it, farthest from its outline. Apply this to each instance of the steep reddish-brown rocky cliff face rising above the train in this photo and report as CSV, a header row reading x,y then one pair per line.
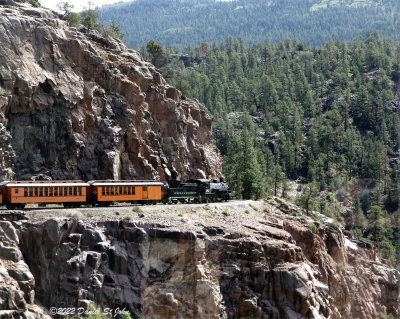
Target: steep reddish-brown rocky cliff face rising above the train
x,y
74,105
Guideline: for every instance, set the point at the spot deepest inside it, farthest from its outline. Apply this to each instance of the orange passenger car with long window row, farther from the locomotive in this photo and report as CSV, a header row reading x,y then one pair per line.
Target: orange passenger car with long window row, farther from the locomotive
x,y
17,194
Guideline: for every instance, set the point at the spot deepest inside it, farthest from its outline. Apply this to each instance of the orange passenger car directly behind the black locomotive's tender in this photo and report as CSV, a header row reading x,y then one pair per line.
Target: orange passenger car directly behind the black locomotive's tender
x,y
106,192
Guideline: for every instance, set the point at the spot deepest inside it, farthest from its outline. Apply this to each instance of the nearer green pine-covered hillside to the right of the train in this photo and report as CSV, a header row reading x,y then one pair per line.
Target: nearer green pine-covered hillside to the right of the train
x,y
327,117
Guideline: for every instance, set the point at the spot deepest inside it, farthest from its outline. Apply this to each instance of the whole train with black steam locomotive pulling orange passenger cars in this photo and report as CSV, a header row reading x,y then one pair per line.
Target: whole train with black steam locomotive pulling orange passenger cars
x,y
16,194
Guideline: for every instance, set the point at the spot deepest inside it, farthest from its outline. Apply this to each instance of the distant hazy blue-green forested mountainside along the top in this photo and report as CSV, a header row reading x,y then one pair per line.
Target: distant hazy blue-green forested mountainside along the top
x,y
177,23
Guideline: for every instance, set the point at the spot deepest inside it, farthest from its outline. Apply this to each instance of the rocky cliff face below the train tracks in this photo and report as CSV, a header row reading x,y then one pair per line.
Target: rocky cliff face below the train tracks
x,y
240,260
